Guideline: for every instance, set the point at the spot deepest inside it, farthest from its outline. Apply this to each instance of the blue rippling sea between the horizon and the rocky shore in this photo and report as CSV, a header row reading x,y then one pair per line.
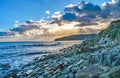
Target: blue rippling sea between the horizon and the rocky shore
x,y
13,55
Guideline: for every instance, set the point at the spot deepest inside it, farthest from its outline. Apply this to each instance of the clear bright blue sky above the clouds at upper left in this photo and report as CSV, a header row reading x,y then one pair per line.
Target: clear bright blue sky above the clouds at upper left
x,y
24,10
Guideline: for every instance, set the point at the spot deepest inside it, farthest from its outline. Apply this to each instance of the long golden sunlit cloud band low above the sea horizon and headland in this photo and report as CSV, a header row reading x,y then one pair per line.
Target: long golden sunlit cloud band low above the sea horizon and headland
x,y
42,30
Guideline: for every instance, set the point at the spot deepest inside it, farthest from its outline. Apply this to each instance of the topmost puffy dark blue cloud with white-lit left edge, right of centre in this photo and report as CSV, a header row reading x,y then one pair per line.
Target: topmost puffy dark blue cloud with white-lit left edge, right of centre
x,y
82,7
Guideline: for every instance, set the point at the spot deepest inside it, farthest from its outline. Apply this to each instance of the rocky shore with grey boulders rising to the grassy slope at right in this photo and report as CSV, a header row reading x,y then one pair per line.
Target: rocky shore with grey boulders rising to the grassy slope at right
x,y
96,58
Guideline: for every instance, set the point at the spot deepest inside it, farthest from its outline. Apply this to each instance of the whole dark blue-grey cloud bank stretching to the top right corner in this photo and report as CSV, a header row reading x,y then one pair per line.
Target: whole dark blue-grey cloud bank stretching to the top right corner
x,y
86,11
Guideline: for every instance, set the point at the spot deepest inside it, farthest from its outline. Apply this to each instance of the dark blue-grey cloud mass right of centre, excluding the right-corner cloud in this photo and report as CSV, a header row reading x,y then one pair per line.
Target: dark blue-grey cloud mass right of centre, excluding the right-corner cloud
x,y
81,12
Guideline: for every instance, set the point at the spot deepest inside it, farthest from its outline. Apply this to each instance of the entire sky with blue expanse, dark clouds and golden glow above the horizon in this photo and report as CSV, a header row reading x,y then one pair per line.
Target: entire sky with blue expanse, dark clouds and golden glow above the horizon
x,y
40,20
